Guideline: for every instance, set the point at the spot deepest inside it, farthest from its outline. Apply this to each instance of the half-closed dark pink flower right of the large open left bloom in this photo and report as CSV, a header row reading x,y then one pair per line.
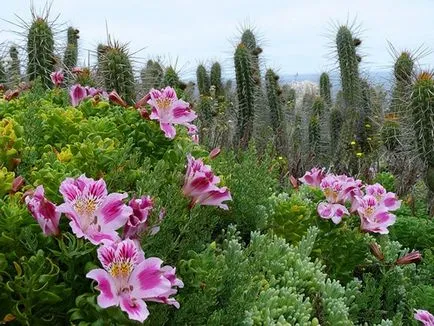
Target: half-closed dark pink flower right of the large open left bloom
x,y
137,222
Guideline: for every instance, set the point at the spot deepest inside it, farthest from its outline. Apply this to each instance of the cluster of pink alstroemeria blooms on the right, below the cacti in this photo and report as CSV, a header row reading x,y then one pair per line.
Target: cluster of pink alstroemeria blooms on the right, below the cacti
x,y
372,203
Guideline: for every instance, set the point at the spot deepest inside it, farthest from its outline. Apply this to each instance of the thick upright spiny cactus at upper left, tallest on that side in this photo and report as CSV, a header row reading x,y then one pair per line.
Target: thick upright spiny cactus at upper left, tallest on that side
x,y
40,51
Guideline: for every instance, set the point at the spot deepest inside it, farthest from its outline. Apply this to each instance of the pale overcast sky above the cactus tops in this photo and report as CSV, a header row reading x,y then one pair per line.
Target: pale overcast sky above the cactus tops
x,y
296,35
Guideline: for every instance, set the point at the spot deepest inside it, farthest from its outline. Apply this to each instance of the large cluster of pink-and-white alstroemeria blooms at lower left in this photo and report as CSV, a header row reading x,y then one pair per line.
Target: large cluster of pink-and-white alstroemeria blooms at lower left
x,y
128,279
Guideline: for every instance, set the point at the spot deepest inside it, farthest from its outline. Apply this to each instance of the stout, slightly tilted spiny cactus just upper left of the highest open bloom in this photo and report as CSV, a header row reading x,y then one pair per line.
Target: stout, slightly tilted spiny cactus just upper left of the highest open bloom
x,y
116,69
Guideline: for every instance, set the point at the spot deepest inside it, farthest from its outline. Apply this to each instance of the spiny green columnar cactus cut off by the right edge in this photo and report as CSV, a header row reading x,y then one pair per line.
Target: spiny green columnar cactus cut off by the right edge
x,y
422,110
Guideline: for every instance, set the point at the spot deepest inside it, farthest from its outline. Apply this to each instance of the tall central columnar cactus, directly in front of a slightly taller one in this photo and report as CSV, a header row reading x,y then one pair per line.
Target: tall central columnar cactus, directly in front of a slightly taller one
x,y
245,93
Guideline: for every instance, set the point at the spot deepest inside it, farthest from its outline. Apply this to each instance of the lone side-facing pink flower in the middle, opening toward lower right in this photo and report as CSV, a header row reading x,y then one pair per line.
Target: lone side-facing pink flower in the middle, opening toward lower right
x,y
201,185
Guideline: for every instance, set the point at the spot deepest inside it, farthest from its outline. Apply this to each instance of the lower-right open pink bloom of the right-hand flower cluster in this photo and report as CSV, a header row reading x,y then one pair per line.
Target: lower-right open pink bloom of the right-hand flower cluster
x,y
374,216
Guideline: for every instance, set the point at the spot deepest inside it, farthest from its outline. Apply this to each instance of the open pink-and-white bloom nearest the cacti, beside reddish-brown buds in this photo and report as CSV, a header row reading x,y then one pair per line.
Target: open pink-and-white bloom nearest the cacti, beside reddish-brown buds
x,y
169,110
